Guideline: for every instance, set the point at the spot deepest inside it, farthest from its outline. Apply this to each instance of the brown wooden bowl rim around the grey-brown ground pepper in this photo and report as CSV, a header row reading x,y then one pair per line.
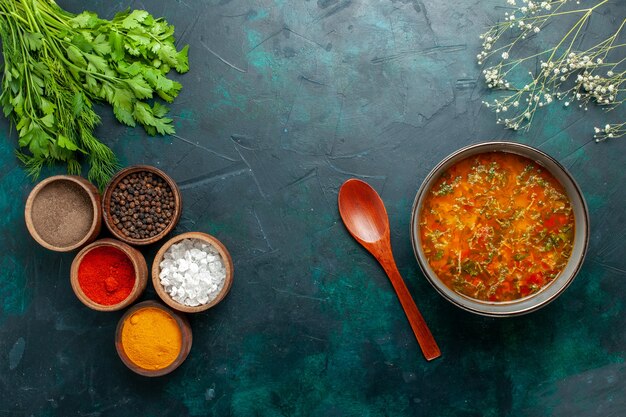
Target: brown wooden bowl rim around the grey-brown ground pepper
x,y
94,197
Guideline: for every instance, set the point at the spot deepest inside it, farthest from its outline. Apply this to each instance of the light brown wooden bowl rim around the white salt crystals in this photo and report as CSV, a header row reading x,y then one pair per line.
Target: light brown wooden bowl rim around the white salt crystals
x,y
228,265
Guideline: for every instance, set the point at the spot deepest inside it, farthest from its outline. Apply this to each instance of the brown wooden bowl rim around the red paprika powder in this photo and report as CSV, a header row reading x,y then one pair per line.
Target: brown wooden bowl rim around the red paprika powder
x,y
139,264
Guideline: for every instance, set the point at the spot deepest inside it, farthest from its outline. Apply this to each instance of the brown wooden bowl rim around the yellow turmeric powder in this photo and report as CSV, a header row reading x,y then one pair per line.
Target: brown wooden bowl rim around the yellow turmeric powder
x,y
186,339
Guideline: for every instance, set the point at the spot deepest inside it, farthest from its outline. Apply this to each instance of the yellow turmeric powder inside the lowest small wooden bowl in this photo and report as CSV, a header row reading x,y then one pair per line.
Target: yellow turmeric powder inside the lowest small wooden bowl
x,y
151,338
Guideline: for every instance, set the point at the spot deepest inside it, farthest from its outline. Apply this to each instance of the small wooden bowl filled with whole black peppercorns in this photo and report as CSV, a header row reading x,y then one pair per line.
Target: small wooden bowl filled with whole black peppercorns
x,y
141,204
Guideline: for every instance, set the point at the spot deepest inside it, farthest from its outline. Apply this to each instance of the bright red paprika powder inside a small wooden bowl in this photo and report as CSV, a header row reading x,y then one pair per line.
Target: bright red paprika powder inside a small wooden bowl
x,y
106,275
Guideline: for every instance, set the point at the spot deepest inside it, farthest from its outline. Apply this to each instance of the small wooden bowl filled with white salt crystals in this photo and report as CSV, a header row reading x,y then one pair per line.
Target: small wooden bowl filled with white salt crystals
x,y
192,272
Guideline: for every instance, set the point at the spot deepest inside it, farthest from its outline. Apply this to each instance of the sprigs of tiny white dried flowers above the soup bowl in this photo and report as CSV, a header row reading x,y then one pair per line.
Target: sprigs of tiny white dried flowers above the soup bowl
x,y
564,74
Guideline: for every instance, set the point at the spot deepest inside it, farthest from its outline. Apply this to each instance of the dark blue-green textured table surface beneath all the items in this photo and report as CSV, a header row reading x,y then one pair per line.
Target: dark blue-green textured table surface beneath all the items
x,y
285,100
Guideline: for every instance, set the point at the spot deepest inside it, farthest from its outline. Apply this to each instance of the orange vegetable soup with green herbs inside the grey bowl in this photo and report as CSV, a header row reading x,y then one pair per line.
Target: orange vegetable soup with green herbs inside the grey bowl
x,y
497,226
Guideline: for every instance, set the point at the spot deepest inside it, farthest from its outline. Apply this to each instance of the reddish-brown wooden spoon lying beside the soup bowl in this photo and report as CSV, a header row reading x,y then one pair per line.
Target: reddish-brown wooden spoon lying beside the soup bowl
x,y
365,217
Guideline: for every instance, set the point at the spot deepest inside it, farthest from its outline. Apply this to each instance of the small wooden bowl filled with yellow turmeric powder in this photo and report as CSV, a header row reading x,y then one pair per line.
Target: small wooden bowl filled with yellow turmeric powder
x,y
153,340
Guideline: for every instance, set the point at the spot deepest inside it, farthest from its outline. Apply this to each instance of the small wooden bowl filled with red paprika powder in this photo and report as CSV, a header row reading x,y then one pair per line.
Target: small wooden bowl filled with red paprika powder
x,y
108,275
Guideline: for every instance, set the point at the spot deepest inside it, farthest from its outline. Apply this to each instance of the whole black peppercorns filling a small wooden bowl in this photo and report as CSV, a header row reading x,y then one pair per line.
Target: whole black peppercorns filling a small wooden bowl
x,y
142,205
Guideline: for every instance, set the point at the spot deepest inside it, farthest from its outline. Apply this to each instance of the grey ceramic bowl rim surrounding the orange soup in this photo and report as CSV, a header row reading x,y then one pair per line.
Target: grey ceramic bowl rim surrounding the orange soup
x,y
550,291
